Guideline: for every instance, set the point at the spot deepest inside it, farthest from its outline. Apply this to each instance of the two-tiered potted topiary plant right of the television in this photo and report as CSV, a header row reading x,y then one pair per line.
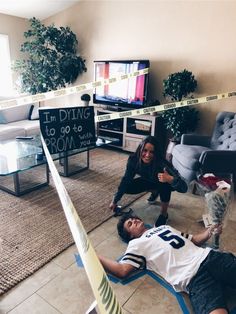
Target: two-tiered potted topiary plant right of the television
x,y
178,121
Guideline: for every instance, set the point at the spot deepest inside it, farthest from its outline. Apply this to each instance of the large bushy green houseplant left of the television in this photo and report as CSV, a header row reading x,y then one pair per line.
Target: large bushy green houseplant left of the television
x,y
51,58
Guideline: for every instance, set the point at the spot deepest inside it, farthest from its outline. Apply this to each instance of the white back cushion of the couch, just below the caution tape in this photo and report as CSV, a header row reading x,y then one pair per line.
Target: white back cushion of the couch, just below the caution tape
x,y
15,113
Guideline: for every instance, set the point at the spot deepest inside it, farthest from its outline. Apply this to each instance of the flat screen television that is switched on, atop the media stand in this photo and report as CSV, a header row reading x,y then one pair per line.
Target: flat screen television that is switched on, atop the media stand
x,y
125,94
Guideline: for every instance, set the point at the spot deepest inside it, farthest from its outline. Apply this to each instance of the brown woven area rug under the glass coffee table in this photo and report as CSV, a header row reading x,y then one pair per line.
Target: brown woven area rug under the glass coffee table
x,y
33,228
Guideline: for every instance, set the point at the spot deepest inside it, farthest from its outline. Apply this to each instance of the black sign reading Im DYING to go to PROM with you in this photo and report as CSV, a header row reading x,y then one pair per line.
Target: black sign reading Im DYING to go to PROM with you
x,y
69,128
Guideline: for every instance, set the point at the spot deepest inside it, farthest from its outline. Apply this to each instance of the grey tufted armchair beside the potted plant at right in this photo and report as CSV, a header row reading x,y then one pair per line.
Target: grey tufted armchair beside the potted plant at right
x,y
198,154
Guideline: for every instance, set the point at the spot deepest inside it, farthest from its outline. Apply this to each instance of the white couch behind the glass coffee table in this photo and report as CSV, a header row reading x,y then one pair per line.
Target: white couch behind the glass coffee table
x,y
15,121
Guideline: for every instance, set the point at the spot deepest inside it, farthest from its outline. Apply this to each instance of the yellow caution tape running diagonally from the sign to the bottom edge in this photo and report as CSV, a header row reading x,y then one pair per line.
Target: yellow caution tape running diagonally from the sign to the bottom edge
x,y
105,297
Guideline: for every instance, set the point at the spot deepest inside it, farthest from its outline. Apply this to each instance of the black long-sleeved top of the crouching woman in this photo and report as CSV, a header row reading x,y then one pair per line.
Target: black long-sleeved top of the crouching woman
x,y
149,173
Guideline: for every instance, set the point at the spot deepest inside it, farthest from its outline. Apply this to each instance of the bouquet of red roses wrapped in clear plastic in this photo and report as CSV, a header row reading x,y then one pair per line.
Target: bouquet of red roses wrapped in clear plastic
x,y
217,190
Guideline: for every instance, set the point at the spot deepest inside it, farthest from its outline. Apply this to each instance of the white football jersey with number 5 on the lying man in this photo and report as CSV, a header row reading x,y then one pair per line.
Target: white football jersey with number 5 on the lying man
x,y
166,252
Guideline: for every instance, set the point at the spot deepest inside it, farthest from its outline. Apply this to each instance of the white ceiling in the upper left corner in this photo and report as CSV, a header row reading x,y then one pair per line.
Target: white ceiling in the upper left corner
x,y
40,9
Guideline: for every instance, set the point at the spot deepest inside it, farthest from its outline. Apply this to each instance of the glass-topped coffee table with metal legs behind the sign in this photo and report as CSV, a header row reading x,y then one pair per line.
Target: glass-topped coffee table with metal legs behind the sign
x,y
23,167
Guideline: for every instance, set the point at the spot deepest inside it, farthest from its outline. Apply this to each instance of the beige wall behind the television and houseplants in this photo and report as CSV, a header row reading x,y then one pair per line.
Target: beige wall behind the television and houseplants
x,y
173,35
